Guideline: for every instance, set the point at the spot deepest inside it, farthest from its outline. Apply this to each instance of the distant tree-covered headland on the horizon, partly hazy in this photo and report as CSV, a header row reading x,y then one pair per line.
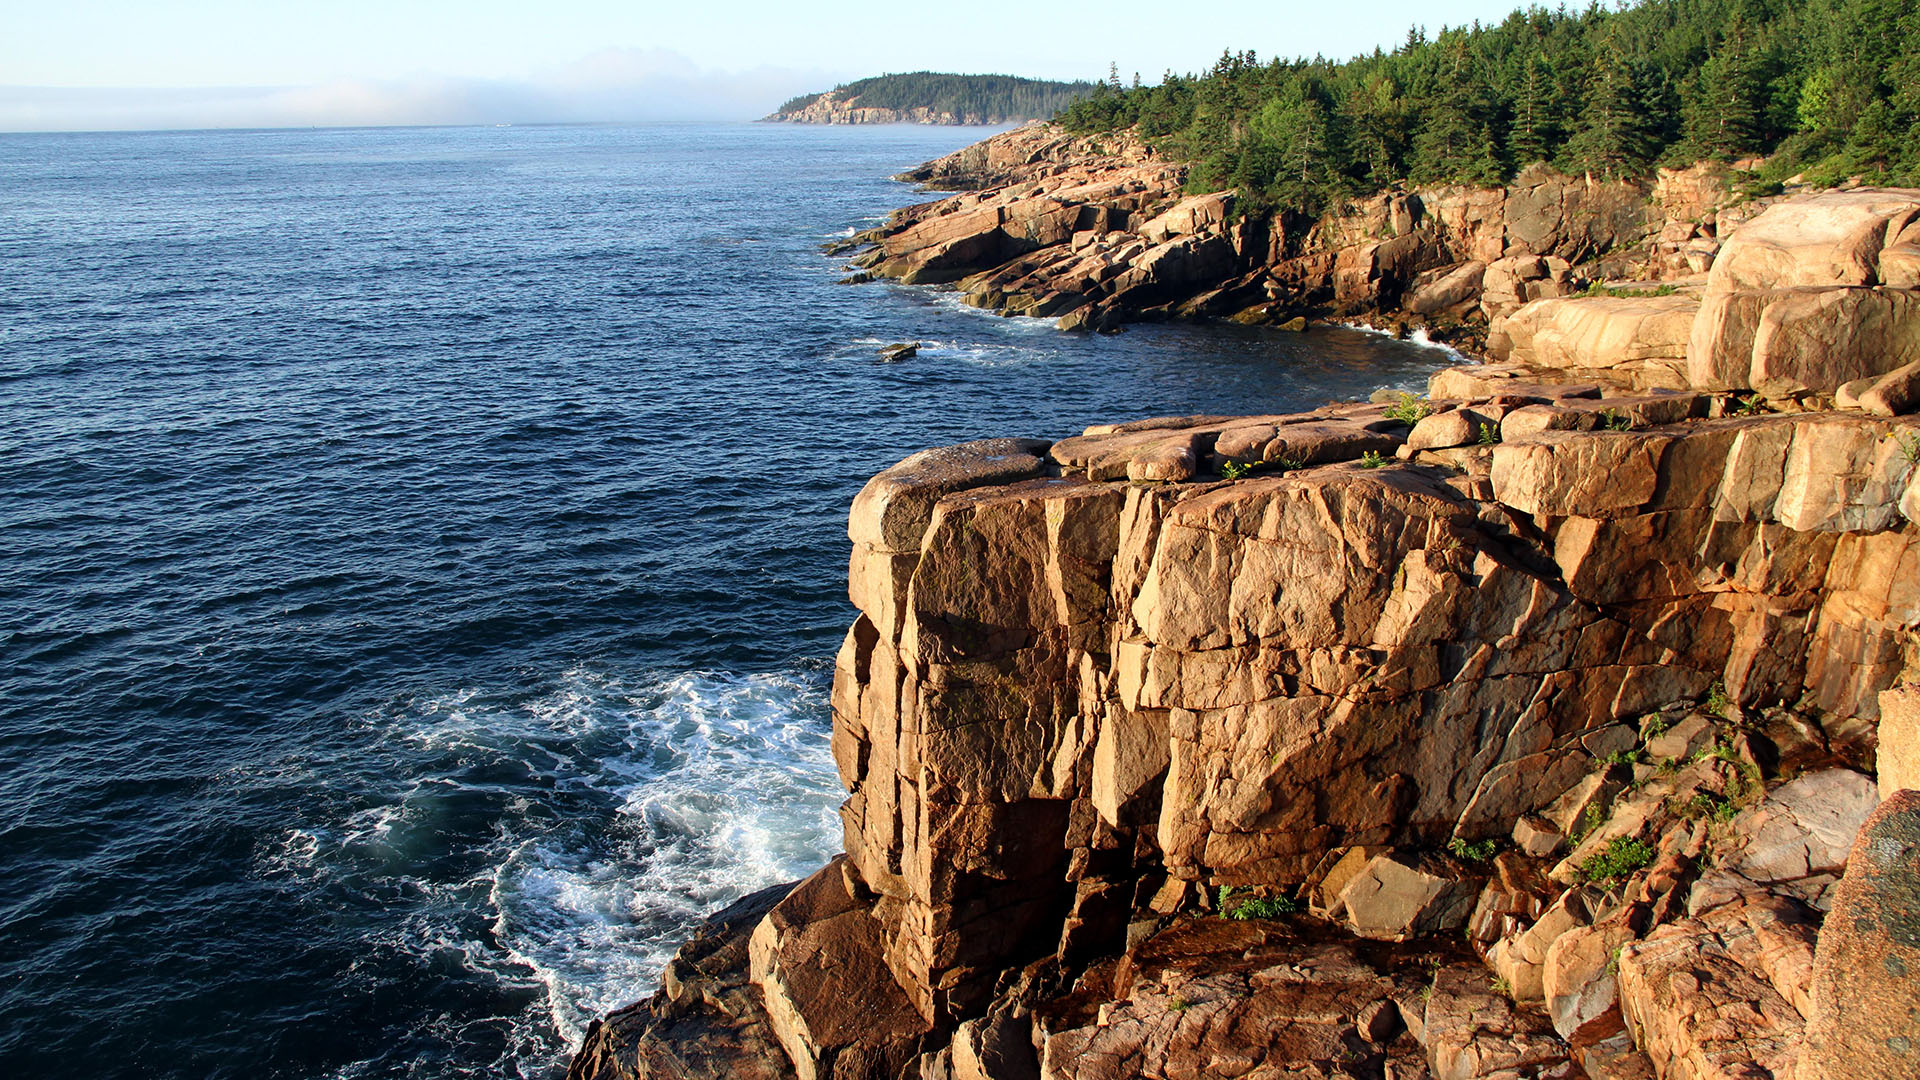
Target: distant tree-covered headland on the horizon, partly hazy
x,y
930,97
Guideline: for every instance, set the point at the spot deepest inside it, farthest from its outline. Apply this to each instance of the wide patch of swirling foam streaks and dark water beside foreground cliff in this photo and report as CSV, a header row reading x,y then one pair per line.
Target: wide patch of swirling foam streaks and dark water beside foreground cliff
x,y
560,848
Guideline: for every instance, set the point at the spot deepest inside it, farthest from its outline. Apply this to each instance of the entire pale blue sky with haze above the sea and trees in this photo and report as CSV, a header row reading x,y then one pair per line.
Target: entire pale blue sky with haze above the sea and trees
x,y
120,64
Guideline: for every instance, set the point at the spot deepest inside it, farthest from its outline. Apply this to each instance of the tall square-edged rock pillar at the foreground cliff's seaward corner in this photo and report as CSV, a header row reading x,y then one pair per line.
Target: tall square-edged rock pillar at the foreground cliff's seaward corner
x,y
959,702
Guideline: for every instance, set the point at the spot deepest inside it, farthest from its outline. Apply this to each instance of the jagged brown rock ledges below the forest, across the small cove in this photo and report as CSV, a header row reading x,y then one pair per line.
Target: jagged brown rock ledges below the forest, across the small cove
x,y
1101,232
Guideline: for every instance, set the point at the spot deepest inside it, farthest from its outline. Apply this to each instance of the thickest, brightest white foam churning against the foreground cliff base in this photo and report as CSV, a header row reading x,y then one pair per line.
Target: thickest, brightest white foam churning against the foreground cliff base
x,y
746,798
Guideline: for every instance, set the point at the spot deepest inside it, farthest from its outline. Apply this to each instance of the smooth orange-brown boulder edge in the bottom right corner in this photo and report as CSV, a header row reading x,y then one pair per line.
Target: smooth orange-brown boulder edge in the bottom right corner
x,y
1865,1019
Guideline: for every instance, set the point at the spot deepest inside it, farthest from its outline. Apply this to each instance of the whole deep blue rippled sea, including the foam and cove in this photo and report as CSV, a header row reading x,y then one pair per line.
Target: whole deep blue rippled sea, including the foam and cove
x,y
423,552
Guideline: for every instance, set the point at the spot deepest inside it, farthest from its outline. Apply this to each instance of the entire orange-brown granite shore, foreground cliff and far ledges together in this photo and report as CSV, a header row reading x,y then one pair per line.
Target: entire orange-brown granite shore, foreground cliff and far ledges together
x,y
1562,722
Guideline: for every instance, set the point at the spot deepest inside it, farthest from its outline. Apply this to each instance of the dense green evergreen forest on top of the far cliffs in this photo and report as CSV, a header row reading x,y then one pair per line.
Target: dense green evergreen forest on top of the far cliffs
x,y
1827,87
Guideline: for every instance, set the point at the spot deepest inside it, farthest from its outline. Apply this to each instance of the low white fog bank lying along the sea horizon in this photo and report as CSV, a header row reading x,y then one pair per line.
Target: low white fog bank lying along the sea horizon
x,y
610,86
